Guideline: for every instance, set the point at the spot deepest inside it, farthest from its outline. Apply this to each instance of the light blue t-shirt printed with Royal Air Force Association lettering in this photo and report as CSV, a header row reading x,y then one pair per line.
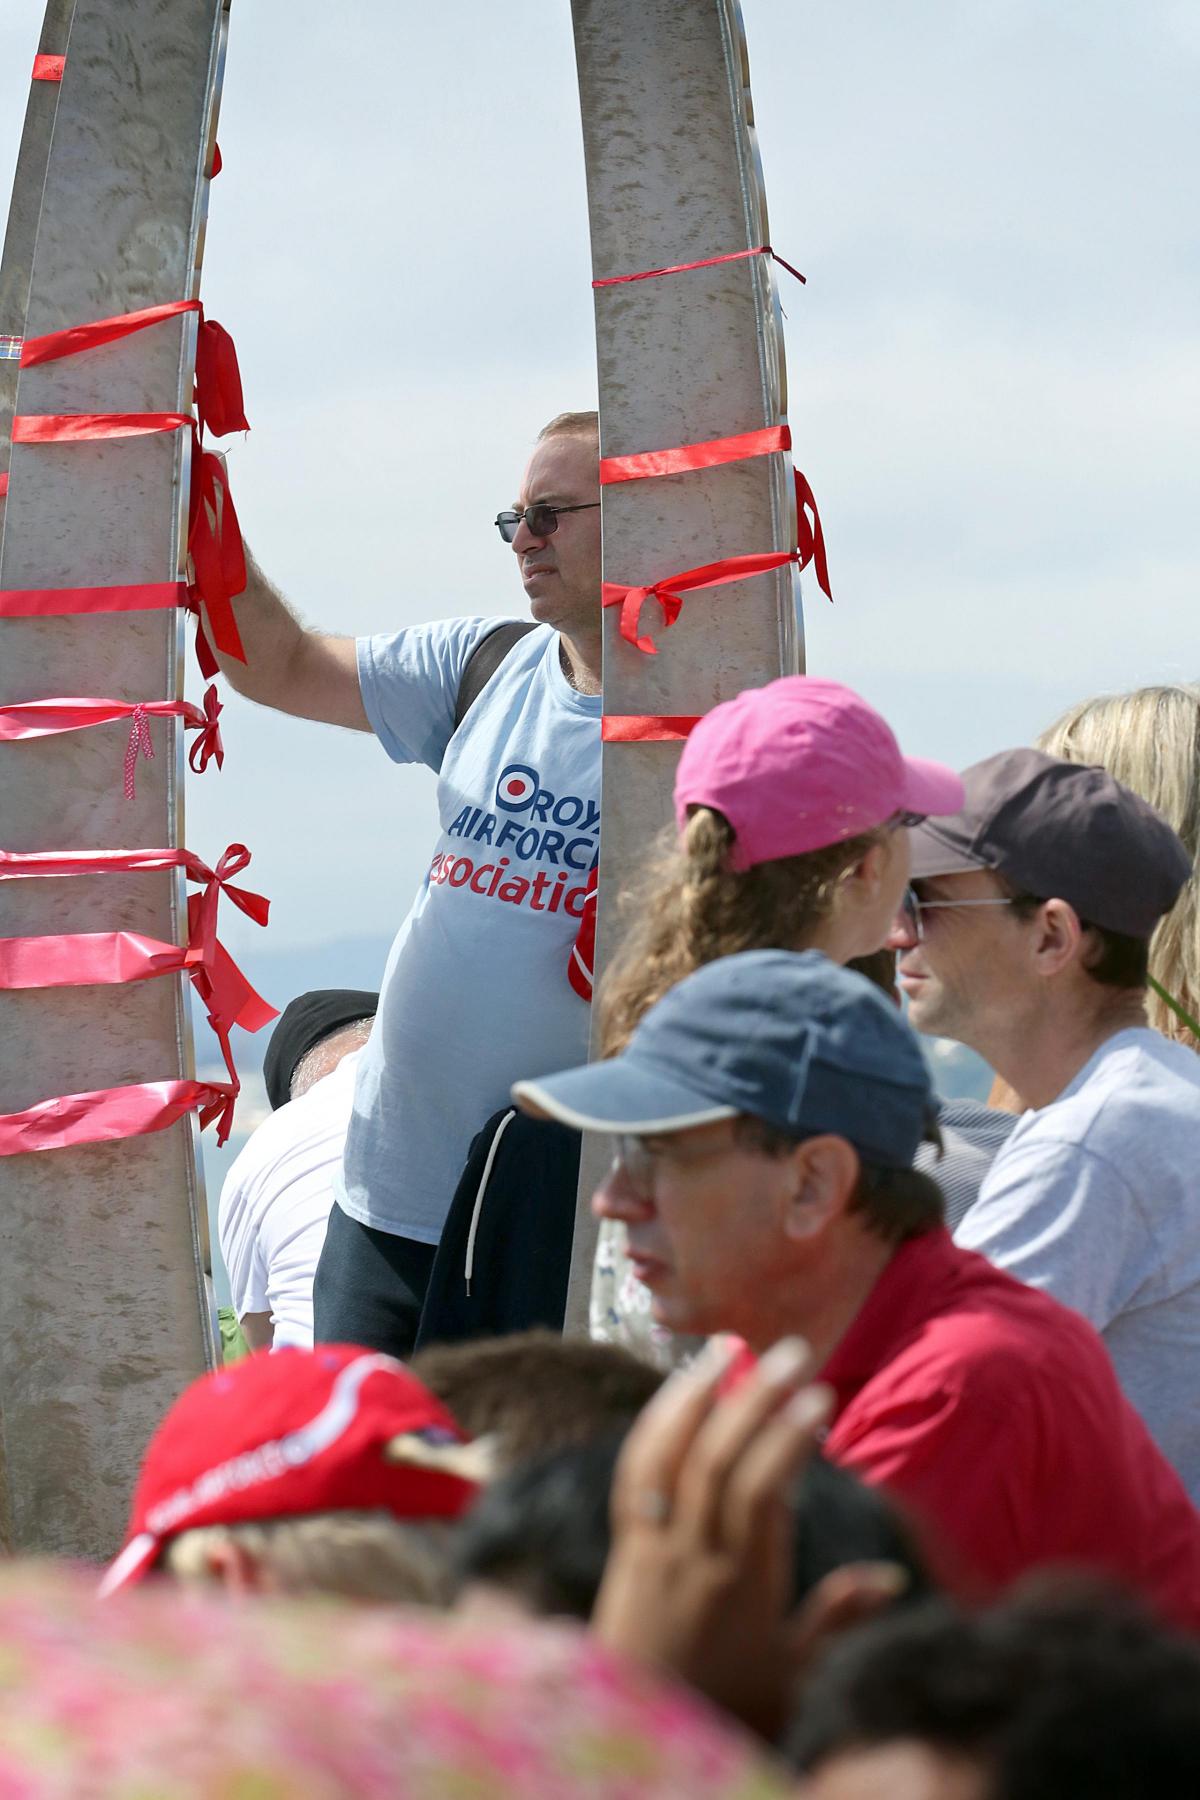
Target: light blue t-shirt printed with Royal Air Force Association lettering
x,y
476,991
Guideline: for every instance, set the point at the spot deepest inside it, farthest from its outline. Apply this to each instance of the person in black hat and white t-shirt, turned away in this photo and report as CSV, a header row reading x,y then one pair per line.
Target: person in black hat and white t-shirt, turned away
x,y
278,1194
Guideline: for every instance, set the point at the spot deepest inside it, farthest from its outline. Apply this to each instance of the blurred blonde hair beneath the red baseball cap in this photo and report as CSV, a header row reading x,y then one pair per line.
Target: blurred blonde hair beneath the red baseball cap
x,y
359,1556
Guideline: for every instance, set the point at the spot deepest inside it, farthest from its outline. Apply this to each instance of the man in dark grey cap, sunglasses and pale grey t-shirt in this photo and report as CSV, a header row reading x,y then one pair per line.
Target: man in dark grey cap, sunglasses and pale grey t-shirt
x,y
1026,937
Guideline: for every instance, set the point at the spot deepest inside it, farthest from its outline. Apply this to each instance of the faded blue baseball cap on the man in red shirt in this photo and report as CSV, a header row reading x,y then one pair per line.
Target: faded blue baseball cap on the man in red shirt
x,y
785,1038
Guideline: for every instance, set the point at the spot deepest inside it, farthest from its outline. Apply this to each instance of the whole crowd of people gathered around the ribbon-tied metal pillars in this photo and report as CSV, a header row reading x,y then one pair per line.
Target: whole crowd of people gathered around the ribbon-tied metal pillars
x,y
879,1473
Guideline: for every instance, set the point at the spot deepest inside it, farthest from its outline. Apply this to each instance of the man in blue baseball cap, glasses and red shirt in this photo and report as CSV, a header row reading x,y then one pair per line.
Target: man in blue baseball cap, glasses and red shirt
x,y
766,1119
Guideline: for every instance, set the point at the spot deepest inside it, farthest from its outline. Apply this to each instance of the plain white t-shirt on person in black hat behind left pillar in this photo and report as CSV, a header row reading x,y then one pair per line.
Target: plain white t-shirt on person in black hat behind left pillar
x,y
276,1205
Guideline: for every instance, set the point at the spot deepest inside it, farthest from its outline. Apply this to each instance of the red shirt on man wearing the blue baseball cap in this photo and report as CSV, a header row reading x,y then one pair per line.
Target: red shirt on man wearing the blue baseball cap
x,y
994,1414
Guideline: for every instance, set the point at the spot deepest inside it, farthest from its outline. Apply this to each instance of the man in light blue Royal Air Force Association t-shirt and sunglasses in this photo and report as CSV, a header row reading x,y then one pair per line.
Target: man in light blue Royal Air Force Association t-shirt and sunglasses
x,y
476,991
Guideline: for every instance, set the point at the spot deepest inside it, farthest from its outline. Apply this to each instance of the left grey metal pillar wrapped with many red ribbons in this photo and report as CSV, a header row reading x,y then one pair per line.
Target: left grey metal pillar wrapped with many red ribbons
x,y
103,1311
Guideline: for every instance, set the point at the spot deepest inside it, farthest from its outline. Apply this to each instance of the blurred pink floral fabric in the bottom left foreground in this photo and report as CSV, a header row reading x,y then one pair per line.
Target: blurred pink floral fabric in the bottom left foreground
x,y
165,1695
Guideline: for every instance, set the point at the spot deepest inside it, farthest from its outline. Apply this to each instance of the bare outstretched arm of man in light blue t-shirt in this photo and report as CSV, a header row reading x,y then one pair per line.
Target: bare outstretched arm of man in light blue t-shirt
x,y
291,667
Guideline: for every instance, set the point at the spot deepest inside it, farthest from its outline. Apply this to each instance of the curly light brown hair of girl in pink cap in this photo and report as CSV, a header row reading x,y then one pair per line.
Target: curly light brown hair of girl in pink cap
x,y
695,908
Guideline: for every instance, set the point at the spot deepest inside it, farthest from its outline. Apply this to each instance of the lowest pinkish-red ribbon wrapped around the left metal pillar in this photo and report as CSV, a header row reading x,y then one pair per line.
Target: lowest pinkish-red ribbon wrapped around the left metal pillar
x,y
111,1113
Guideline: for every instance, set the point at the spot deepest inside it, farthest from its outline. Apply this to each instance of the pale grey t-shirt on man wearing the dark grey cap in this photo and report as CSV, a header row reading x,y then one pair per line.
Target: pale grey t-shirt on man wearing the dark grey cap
x,y
1097,1200
